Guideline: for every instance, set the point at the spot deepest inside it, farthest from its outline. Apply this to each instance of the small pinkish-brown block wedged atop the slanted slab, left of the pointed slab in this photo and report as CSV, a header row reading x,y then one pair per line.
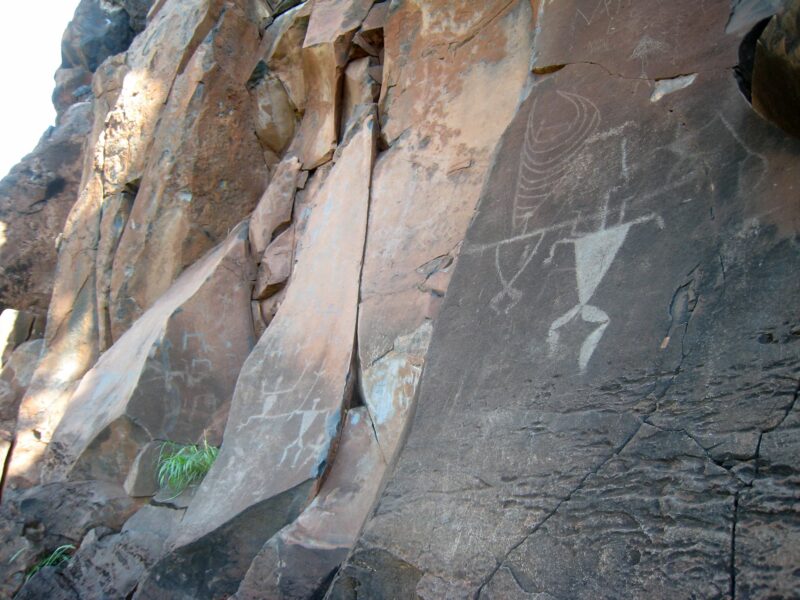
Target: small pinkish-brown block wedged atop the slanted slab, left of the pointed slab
x,y
275,206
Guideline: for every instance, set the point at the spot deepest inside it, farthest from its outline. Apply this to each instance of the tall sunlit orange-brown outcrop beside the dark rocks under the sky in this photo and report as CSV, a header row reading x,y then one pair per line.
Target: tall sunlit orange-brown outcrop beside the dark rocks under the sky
x,y
136,206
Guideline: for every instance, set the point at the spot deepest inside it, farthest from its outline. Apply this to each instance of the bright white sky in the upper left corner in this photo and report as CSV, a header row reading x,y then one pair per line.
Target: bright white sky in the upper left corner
x,y
30,53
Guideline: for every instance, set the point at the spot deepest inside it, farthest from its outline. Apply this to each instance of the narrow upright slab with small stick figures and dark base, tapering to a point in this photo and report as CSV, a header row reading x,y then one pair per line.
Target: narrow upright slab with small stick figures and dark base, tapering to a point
x,y
288,404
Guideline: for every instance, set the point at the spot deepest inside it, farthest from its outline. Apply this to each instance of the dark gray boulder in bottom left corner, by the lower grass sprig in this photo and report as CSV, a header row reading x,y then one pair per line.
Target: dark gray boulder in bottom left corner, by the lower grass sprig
x,y
43,518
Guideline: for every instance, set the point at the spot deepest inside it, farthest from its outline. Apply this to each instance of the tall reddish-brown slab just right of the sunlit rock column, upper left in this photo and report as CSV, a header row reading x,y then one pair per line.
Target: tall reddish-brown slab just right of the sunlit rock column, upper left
x,y
205,171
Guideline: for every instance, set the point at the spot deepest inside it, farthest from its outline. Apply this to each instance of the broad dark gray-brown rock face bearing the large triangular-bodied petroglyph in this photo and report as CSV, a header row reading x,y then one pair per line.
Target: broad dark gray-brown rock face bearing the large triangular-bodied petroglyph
x,y
609,405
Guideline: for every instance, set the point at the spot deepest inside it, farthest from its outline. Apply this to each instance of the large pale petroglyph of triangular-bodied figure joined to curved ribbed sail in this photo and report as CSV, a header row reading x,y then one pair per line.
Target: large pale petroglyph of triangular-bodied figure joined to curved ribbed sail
x,y
547,153
